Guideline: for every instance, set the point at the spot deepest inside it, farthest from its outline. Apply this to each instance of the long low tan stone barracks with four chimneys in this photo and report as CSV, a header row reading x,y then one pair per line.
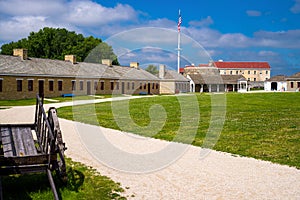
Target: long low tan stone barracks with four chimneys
x,y
22,77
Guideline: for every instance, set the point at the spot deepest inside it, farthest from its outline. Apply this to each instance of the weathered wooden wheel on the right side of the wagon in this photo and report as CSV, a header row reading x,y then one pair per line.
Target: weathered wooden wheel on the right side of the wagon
x,y
59,165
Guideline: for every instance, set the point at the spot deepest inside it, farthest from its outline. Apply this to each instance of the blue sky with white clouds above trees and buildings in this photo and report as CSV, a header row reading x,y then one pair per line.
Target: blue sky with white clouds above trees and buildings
x,y
231,30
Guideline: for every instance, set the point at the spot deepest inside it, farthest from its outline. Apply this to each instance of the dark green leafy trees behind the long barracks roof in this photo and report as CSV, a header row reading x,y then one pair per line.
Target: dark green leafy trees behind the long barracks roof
x,y
55,43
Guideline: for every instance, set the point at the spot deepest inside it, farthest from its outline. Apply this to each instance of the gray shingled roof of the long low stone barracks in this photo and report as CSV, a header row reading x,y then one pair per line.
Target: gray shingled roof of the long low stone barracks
x,y
11,65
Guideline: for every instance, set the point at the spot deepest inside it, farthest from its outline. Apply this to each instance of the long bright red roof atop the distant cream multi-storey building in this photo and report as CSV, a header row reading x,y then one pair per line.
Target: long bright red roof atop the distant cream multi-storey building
x,y
242,65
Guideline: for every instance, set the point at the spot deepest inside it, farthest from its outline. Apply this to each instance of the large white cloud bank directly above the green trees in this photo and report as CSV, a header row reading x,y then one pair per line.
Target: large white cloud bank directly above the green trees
x,y
19,18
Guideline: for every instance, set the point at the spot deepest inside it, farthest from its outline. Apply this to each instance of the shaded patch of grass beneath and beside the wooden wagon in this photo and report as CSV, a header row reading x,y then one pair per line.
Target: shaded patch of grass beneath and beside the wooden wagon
x,y
83,183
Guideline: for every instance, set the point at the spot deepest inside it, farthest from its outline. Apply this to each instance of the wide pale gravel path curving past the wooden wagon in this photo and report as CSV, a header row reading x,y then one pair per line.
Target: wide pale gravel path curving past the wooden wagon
x,y
216,176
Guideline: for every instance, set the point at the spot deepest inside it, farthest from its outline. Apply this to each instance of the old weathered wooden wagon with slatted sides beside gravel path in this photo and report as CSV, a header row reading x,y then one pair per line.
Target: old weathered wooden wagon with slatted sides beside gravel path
x,y
31,148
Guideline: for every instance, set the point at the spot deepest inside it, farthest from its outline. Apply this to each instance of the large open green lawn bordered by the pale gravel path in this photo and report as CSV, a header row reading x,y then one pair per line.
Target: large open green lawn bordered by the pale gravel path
x,y
264,125
